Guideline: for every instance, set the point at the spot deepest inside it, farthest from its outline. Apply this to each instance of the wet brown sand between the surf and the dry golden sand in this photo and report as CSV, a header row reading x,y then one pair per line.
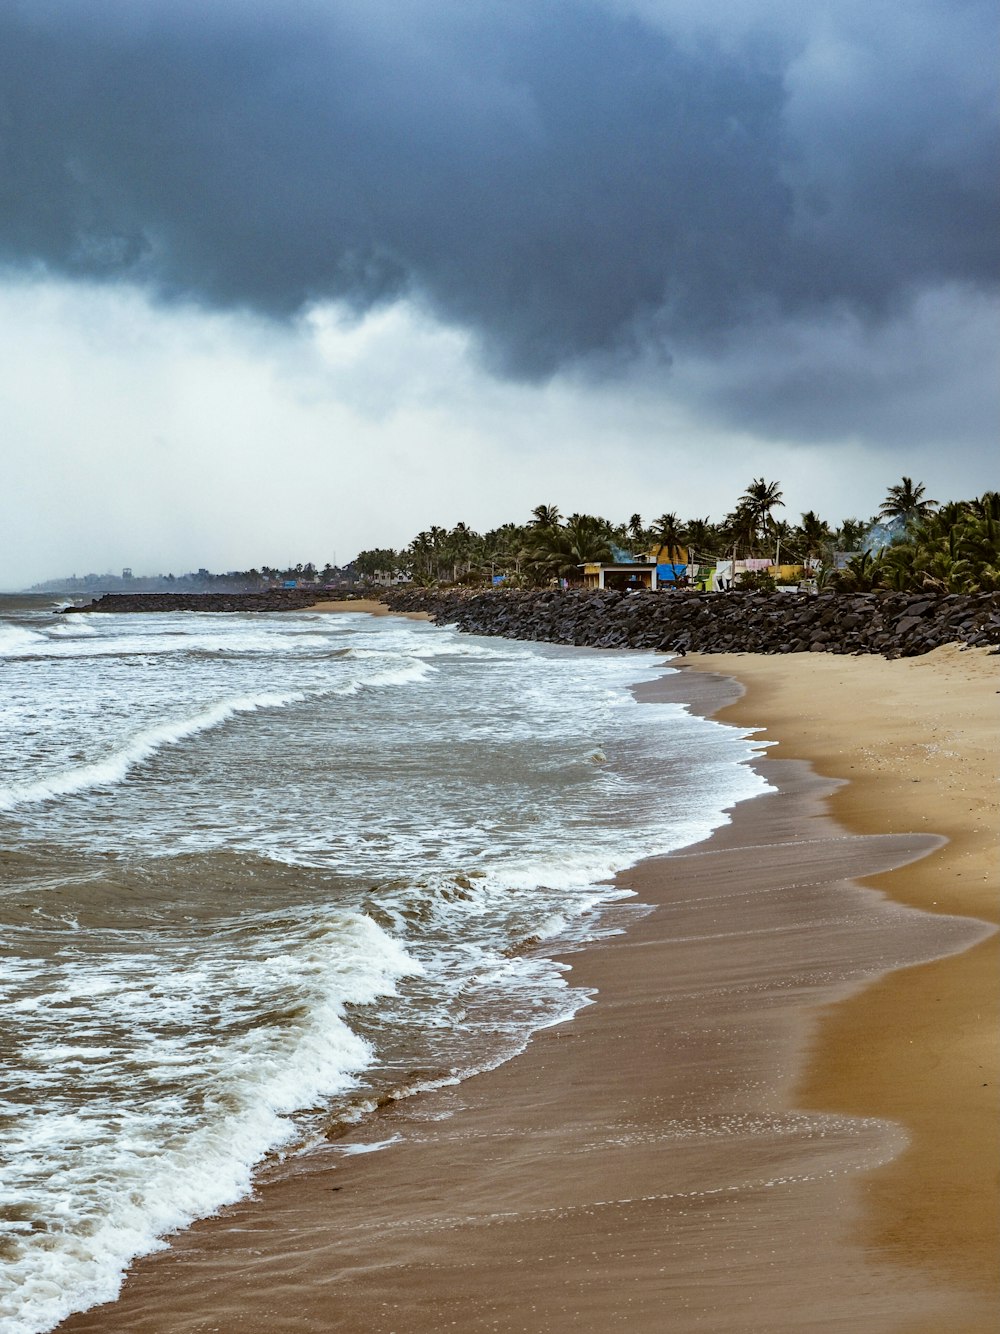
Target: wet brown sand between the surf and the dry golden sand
x,y
647,1163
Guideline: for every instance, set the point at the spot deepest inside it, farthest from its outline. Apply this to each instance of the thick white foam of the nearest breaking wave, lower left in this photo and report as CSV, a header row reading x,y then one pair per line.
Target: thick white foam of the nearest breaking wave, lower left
x,y
111,1189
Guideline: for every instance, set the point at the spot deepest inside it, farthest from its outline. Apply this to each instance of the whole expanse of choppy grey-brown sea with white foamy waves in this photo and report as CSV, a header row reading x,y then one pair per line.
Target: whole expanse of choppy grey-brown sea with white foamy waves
x,y
259,873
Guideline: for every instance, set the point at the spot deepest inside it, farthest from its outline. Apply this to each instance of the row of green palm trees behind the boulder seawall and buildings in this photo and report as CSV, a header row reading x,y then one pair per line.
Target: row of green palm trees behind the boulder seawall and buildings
x,y
951,548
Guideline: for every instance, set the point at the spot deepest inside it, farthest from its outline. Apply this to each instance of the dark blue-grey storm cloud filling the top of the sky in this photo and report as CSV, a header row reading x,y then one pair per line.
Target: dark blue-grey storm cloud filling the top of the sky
x,y
563,179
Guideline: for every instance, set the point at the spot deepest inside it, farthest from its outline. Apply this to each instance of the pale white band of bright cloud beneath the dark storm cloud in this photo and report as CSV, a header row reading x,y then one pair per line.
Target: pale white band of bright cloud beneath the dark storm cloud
x,y
170,438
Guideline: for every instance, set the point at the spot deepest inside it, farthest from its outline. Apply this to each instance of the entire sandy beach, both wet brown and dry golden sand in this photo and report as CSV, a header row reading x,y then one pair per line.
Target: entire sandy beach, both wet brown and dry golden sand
x,y
781,1113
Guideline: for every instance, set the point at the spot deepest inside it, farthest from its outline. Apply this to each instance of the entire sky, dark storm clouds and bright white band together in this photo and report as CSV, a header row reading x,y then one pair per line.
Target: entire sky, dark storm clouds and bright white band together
x,y
282,282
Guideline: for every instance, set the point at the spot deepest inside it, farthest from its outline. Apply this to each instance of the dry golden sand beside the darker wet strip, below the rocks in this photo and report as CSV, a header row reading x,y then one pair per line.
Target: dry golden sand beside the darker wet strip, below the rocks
x,y
917,744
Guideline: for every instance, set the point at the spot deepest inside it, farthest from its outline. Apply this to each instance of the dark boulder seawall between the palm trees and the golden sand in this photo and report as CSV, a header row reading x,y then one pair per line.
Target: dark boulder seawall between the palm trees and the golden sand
x,y
887,624
